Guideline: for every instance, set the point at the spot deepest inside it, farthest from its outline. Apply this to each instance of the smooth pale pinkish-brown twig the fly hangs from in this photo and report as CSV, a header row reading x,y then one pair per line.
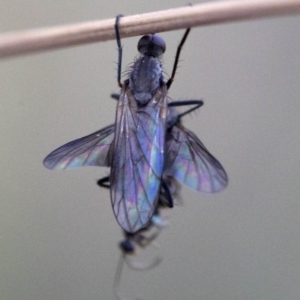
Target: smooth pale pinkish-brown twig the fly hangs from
x,y
12,44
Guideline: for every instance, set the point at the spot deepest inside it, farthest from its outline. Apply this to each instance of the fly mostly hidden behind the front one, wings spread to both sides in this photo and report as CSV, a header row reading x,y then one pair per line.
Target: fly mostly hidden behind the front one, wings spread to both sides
x,y
187,159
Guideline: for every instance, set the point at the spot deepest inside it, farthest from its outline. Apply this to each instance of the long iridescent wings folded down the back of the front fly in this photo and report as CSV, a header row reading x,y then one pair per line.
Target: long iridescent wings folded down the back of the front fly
x,y
138,161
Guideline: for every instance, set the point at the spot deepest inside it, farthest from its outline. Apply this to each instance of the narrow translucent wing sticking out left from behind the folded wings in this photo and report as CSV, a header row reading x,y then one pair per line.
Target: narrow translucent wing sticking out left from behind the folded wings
x,y
91,150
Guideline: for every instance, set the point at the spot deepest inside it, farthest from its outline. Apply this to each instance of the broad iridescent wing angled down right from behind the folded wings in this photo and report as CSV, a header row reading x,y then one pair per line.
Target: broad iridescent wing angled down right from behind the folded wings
x,y
189,161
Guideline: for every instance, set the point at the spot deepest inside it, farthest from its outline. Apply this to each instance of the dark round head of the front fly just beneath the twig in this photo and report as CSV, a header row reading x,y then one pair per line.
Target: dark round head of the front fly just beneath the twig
x,y
151,45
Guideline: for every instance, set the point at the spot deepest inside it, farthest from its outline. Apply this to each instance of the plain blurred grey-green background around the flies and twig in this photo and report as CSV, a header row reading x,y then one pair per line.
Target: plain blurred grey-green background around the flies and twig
x,y
58,233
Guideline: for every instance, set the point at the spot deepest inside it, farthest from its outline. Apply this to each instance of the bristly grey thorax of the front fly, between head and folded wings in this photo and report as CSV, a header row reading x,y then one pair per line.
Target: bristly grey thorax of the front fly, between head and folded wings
x,y
145,78
